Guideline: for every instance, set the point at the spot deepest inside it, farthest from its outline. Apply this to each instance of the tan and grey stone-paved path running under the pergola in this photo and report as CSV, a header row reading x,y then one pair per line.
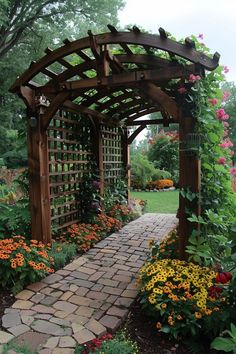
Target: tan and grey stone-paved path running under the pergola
x,y
89,296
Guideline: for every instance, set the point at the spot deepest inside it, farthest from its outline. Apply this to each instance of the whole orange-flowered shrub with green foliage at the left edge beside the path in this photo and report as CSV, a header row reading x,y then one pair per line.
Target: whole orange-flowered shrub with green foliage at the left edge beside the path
x,y
23,262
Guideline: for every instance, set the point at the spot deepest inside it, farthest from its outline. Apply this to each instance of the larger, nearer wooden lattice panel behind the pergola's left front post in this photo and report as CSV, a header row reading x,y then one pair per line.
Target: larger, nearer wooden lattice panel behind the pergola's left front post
x,y
70,157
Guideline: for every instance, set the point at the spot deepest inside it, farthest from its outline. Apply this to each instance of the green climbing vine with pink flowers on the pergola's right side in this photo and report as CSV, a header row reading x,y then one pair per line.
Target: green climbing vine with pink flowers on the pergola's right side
x,y
215,153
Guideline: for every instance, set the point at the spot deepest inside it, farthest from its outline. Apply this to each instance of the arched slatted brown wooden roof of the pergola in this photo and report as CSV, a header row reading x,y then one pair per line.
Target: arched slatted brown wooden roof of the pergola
x,y
115,76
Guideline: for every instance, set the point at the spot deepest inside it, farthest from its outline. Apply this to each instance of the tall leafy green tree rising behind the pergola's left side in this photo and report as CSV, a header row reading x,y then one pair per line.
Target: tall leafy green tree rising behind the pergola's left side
x,y
27,27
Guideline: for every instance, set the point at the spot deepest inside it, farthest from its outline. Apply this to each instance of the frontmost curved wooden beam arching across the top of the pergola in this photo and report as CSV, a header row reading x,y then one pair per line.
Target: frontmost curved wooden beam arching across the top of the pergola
x,y
142,39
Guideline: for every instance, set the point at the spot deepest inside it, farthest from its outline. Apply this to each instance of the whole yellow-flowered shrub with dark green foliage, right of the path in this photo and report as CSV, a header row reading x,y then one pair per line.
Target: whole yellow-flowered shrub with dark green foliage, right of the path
x,y
179,294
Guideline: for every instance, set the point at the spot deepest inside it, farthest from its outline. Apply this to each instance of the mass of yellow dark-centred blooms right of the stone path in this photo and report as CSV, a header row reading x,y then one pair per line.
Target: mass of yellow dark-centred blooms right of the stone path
x,y
167,283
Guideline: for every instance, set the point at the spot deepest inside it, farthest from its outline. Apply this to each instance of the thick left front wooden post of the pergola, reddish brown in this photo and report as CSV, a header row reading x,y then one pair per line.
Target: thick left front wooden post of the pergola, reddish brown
x,y
39,177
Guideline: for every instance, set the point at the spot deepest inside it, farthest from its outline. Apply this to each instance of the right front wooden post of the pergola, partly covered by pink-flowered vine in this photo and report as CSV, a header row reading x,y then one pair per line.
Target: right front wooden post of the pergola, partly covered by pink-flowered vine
x,y
189,166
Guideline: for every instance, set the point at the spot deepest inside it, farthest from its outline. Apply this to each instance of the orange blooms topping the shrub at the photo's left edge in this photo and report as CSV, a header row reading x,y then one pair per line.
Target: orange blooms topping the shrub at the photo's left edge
x,y
19,253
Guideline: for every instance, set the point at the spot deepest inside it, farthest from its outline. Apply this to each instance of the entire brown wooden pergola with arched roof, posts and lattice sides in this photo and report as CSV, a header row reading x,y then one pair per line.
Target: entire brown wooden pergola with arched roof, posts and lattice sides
x,y
82,97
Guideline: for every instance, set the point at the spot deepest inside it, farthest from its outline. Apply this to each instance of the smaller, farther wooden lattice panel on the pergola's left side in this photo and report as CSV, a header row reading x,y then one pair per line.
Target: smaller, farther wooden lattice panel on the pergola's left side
x,y
113,164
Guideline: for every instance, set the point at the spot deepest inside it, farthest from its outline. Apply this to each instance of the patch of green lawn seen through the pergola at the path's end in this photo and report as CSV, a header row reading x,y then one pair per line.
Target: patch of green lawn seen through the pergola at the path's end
x,y
159,202
